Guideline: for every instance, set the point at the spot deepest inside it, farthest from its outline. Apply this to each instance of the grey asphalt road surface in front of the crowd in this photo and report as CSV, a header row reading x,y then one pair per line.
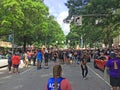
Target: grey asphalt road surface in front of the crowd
x,y
33,79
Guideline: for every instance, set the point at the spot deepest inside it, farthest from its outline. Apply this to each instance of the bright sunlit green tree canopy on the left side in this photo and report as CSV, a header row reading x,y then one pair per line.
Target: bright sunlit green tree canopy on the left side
x,y
29,21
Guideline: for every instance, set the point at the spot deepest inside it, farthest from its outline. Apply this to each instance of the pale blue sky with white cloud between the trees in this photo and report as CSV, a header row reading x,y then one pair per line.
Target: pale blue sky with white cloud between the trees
x,y
58,9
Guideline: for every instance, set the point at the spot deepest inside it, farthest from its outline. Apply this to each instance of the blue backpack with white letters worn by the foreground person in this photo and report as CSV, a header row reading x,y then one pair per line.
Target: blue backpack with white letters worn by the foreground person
x,y
52,81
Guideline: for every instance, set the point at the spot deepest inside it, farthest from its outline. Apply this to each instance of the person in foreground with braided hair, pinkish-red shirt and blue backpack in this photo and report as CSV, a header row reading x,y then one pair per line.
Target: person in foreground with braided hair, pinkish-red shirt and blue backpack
x,y
57,82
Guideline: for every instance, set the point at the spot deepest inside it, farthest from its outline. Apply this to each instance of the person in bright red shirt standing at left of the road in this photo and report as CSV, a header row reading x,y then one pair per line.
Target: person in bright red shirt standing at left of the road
x,y
15,63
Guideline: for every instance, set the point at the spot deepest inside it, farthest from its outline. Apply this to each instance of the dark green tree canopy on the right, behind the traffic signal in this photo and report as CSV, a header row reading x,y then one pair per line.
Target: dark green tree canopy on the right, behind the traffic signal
x,y
100,20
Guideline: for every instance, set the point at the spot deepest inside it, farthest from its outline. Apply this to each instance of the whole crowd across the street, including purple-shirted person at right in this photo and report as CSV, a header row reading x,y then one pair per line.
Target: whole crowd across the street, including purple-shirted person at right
x,y
42,56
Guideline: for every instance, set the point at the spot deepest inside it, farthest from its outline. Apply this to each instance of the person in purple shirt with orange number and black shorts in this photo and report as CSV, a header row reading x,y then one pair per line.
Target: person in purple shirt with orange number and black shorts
x,y
113,69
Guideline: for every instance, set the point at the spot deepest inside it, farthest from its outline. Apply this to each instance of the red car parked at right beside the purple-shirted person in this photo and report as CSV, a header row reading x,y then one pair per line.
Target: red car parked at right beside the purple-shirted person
x,y
100,62
